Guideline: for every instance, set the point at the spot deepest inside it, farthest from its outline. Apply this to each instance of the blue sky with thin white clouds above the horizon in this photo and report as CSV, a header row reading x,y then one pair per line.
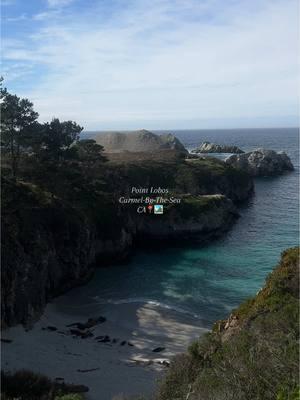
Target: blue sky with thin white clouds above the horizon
x,y
155,64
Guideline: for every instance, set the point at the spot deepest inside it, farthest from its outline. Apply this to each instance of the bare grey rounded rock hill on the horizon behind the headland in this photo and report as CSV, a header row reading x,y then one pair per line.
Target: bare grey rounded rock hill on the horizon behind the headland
x,y
138,141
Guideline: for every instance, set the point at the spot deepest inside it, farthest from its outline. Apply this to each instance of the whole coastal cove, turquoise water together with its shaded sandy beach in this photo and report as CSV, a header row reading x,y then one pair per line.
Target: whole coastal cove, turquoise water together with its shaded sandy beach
x,y
166,298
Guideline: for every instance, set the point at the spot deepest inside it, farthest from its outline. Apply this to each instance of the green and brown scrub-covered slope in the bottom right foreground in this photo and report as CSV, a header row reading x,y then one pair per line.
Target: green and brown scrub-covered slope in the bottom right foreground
x,y
253,354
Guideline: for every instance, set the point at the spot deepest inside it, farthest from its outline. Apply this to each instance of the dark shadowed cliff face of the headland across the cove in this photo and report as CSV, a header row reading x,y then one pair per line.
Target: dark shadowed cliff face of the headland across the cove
x,y
51,245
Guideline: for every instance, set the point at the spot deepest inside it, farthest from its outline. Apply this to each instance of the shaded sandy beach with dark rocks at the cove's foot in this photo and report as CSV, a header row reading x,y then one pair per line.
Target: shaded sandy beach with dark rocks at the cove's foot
x,y
122,363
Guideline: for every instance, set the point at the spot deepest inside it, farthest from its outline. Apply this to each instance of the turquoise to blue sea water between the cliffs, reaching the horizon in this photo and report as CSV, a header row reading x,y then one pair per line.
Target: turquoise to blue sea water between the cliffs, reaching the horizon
x,y
209,281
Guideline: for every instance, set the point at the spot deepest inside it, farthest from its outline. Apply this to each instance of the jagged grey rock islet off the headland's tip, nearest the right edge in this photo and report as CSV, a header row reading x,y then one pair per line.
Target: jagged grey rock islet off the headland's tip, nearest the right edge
x,y
262,162
